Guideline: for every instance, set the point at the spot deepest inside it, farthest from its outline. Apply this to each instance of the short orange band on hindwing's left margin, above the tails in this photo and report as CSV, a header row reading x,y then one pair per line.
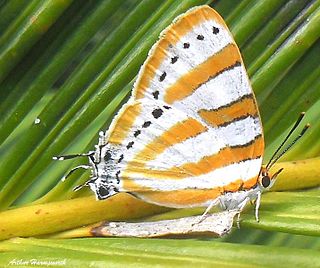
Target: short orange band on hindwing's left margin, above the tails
x,y
124,123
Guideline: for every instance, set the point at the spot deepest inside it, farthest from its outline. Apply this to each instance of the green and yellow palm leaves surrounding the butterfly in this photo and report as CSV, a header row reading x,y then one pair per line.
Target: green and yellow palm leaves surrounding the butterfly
x,y
72,64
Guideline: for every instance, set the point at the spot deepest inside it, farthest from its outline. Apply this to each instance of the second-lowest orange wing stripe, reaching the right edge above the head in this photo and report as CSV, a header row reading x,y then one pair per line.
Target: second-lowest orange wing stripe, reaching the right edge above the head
x,y
225,157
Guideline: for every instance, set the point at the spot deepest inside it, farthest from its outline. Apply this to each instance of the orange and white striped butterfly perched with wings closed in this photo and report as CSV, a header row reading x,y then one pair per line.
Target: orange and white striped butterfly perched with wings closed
x,y
191,134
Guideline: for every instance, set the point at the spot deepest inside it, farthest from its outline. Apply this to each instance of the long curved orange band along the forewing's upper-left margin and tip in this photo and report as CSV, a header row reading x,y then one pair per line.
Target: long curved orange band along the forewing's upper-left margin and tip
x,y
172,35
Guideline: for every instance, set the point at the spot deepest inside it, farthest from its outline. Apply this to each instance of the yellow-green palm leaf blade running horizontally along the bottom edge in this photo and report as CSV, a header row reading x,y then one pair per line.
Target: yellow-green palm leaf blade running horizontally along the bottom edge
x,y
119,252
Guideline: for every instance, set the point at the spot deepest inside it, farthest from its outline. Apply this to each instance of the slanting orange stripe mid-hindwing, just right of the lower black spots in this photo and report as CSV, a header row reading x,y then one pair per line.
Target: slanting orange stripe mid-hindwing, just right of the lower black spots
x,y
174,135
